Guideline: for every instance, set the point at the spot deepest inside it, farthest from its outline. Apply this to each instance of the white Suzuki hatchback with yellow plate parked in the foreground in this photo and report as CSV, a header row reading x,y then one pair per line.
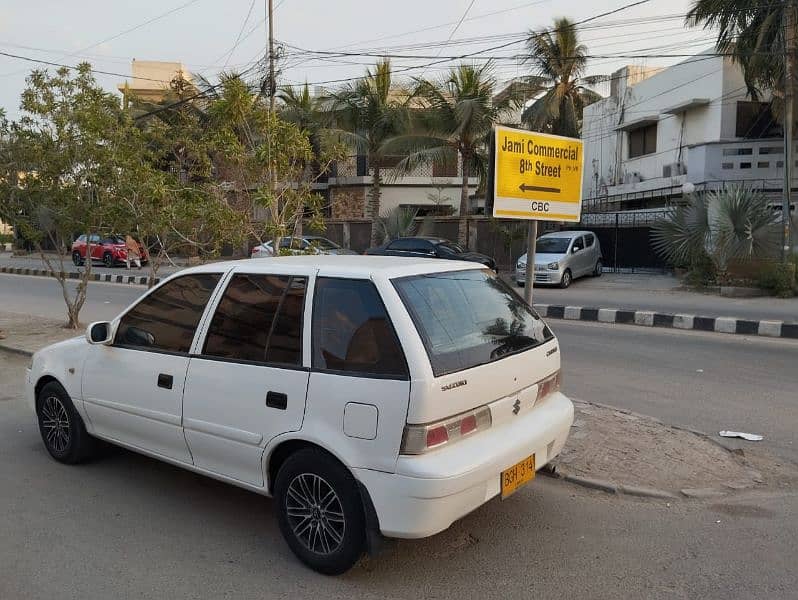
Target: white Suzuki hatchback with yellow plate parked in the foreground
x,y
366,394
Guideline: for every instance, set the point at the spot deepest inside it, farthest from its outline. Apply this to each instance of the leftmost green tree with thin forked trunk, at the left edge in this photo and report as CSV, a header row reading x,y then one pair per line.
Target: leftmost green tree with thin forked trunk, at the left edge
x,y
63,178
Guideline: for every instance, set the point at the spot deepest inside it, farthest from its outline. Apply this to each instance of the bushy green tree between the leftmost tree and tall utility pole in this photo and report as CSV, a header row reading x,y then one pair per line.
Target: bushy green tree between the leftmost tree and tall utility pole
x,y
171,195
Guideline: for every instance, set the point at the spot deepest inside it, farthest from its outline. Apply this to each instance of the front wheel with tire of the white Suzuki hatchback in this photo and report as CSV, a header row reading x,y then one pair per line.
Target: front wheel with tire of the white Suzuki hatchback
x,y
62,430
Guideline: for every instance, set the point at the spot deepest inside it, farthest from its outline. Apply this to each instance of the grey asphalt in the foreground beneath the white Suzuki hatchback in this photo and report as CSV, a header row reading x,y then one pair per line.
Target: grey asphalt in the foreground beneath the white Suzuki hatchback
x,y
125,526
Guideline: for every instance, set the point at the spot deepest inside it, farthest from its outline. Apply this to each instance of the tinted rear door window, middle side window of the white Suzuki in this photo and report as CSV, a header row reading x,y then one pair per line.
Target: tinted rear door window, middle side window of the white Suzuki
x,y
259,319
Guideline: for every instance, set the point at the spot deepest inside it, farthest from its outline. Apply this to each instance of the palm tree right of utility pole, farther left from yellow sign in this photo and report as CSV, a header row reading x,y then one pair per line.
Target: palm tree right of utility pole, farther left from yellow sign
x,y
365,114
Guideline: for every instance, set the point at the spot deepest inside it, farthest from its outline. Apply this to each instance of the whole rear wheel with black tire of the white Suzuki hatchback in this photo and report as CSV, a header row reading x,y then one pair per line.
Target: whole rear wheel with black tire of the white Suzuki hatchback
x,y
327,534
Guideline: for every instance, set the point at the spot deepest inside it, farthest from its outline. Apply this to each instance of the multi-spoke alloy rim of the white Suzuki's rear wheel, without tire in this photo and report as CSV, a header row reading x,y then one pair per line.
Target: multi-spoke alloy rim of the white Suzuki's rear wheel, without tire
x,y
315,513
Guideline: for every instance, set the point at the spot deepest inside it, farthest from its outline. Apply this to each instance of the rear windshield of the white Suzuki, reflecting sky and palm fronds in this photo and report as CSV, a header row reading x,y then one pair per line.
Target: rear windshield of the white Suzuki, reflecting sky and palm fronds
x,y
469,318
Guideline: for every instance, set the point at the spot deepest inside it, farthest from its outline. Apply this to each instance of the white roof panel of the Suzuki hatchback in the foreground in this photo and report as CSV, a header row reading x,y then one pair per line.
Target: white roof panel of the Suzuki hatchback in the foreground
x,y
354,266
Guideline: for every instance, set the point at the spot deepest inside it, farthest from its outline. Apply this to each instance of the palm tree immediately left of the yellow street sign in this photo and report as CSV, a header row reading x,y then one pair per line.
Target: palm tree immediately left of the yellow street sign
x,y
455,120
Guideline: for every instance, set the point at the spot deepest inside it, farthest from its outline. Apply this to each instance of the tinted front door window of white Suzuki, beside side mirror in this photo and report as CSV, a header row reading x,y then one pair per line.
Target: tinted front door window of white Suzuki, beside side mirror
x,y
167,318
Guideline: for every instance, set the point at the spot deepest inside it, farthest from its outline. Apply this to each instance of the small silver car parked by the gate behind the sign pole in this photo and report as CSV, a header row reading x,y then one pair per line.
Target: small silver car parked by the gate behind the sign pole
x,y
562,257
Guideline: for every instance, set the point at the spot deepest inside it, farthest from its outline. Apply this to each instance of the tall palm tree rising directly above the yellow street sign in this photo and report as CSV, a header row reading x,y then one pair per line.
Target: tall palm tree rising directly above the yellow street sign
x,y
560,62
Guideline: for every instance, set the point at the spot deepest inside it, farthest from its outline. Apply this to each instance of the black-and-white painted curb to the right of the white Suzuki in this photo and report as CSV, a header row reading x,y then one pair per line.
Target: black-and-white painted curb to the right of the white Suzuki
x,y
647,318
